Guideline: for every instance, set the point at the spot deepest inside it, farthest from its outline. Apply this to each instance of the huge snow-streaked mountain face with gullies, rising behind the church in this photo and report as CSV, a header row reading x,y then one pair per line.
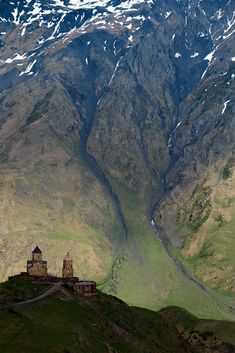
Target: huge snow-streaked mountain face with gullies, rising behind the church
x,y
114,114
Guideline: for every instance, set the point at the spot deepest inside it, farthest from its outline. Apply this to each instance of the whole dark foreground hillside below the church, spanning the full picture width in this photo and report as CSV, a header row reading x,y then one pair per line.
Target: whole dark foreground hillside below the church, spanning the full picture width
x,y
66,323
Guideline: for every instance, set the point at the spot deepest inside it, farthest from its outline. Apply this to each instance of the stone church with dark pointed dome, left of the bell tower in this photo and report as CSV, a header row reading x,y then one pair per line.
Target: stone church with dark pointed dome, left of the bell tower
x,y
36,266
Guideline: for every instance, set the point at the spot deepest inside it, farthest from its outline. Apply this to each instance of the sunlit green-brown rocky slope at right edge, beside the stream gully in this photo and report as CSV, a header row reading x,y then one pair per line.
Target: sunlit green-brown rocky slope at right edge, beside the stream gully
x,y
200,224
